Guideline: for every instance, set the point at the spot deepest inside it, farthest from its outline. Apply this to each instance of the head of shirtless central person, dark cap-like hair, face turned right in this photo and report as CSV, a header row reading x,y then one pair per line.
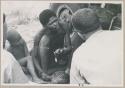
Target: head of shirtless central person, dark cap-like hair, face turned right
x,y
49,20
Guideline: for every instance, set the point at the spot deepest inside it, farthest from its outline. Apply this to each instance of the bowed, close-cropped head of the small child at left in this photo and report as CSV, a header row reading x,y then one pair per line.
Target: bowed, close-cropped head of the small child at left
x,y
13,36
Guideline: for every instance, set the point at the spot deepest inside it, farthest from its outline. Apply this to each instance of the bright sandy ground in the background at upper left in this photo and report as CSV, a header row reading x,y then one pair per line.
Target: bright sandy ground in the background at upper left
x,y
23,17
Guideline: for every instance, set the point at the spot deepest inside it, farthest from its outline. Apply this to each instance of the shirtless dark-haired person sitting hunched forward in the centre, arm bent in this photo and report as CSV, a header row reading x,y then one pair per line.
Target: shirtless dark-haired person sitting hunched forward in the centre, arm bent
x,y
49,40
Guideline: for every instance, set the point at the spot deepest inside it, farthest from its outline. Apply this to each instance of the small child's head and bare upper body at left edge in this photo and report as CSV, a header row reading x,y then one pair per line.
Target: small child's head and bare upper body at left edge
x,y
17,44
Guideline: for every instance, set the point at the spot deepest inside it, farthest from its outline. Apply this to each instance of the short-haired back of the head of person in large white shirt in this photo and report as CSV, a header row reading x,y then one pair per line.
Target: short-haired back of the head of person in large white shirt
x,y
85,20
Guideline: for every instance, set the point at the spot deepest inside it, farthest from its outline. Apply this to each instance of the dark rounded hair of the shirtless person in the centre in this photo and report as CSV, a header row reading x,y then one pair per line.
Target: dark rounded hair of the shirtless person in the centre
x,y
45,16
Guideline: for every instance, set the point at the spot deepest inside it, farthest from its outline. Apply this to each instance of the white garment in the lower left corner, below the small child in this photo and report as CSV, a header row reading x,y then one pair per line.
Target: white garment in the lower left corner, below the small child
x,y
11,71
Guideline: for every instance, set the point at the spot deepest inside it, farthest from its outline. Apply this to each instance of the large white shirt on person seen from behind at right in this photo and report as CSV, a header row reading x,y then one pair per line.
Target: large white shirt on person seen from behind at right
x,y
99,59
